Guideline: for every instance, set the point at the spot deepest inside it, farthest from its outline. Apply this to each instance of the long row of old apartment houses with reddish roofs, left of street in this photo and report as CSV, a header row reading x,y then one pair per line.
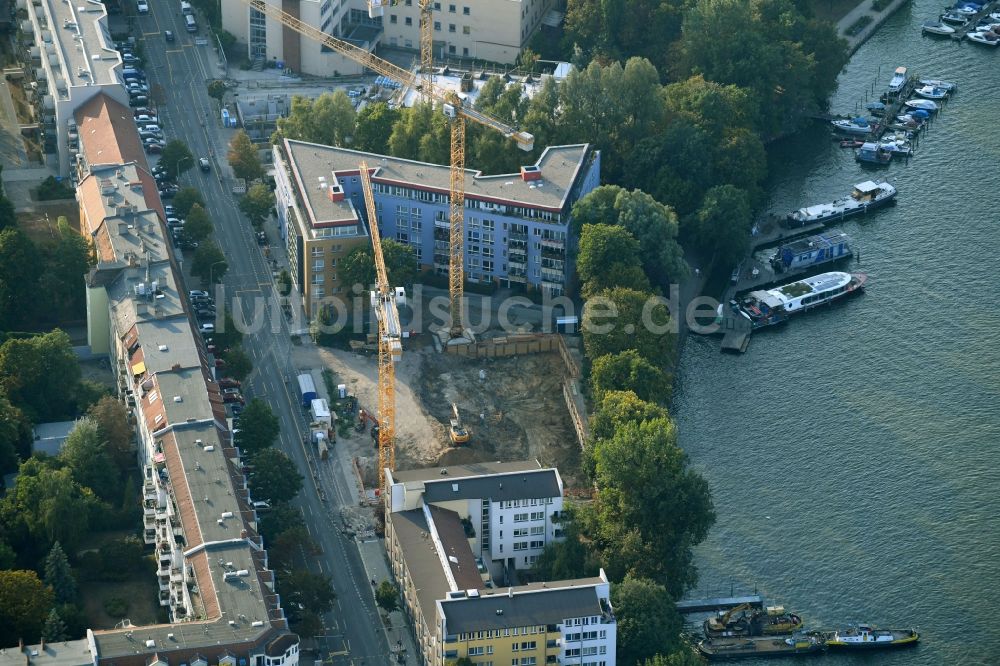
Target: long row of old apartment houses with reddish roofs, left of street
x,y
212,569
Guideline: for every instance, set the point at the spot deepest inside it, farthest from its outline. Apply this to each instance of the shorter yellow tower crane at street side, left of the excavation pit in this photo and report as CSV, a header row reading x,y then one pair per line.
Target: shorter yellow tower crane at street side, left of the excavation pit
x,y
390,349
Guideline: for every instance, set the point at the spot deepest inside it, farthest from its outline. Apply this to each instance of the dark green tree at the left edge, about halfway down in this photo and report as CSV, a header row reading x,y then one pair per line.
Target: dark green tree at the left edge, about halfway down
x,y
41,374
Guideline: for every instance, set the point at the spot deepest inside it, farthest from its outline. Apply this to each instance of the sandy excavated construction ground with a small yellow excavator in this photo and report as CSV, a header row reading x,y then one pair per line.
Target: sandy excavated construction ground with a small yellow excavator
x,y
517,412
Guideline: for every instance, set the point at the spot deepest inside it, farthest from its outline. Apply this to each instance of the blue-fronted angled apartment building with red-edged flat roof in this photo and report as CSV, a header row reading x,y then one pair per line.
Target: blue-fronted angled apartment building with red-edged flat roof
x,y
517,226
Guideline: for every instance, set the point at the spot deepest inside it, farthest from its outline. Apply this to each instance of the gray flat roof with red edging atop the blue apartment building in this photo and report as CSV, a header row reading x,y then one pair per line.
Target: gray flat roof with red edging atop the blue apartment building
x,y
559,166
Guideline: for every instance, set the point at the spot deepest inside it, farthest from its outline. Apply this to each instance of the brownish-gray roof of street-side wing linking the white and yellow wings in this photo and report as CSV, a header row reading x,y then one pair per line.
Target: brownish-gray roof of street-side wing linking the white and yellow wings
x,y
422,560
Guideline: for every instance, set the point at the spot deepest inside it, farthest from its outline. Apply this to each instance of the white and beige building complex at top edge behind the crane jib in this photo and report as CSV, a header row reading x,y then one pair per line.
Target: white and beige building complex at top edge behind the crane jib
x,y
493,30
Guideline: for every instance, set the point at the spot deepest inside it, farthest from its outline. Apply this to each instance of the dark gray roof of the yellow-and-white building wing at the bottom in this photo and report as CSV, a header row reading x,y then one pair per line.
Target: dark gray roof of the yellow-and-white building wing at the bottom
x,y
523,608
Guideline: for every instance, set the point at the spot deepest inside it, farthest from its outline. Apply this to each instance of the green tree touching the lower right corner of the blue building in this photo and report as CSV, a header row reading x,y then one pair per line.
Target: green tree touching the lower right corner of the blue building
x,y
608,258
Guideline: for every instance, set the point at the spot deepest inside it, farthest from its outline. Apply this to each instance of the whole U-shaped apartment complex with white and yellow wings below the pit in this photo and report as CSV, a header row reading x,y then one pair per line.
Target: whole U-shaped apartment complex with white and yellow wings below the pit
x,y
442,529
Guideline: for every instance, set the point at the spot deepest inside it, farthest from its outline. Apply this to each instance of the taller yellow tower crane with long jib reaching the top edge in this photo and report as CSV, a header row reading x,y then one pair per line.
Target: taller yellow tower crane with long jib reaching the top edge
x,y
458,113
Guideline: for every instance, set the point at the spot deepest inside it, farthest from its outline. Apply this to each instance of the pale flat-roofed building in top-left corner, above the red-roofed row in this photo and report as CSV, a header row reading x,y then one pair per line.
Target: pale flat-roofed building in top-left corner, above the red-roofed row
x,y
70,48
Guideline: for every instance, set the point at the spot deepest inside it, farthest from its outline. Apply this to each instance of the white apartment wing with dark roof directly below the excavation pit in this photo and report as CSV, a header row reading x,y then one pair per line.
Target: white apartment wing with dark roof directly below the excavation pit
x,y
511,510
